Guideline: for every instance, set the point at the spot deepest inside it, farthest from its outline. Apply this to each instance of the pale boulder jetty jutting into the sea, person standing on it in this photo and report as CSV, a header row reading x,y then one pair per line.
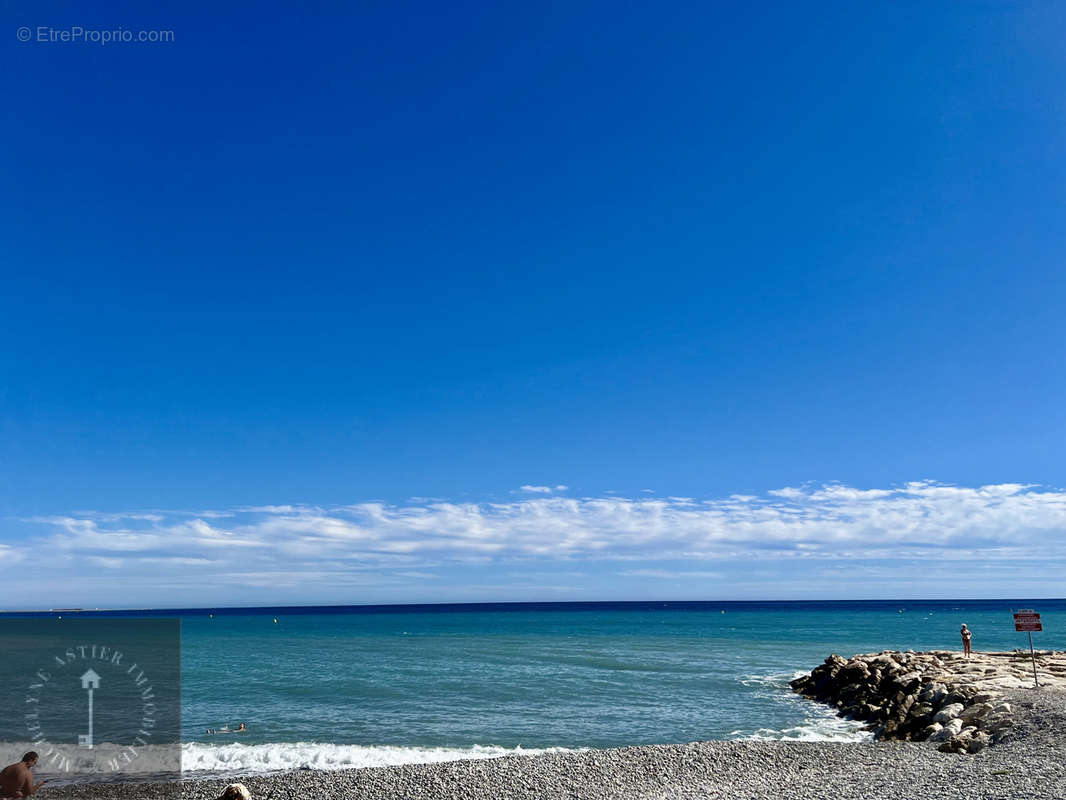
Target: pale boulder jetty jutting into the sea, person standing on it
x,y
941,697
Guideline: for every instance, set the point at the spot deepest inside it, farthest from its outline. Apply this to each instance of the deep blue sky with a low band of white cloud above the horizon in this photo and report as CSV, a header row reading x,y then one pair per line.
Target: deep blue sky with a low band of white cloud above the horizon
x,y
337,284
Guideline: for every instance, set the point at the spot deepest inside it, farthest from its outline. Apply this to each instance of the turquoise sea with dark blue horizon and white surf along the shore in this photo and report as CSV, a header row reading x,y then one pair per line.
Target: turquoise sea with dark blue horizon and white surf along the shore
x,y
361,686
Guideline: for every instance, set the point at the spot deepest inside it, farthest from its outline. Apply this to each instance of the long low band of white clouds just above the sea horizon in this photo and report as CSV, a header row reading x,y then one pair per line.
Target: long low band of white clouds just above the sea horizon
x,y
378,543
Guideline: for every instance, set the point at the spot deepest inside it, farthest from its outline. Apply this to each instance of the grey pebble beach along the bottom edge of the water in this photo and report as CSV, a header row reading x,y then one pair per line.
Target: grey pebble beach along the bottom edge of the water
x,y
1028,764
